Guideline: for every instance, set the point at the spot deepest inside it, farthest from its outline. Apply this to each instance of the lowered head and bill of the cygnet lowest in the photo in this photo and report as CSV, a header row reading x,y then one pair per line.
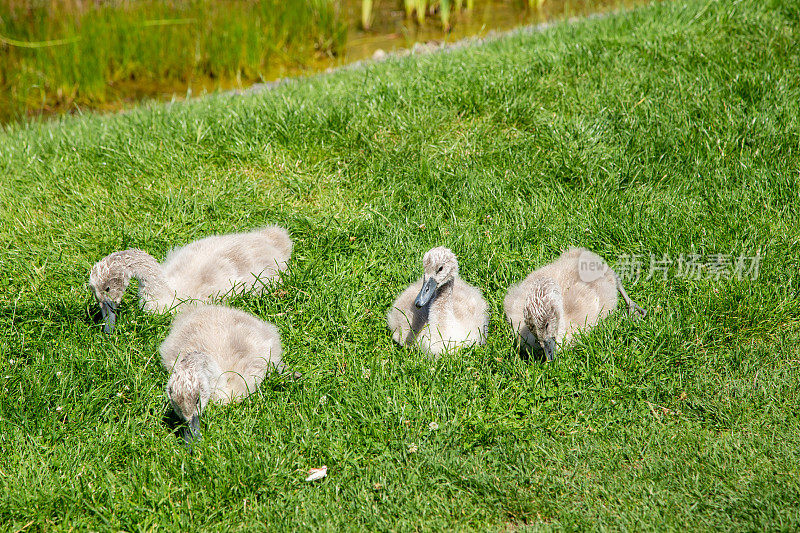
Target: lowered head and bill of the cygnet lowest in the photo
x,y
188,390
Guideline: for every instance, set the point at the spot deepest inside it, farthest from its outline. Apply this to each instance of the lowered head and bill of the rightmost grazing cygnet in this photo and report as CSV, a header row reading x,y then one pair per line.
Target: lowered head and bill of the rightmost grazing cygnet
x,y
543,313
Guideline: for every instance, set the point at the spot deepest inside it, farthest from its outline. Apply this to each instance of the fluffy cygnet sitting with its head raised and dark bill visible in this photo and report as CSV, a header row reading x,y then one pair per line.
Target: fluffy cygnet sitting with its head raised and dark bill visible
x,y
439,312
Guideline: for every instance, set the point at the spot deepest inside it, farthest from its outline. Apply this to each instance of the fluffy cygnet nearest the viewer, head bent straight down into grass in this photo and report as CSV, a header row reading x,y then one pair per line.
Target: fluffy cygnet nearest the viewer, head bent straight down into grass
x,y
216,354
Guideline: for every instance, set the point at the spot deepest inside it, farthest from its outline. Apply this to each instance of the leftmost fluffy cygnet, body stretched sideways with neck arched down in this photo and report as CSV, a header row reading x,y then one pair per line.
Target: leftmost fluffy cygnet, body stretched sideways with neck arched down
x,y
197,272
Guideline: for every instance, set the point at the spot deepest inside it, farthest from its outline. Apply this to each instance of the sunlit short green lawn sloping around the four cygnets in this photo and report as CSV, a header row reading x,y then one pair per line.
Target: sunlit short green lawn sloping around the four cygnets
x,y
667,130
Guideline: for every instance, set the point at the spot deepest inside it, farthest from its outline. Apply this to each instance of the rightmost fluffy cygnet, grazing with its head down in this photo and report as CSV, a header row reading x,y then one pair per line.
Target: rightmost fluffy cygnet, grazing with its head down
x,y
571,294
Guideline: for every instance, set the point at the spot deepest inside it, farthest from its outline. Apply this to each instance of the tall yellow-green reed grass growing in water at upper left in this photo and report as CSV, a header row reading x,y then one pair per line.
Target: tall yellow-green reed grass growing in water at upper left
x,y
62,51
